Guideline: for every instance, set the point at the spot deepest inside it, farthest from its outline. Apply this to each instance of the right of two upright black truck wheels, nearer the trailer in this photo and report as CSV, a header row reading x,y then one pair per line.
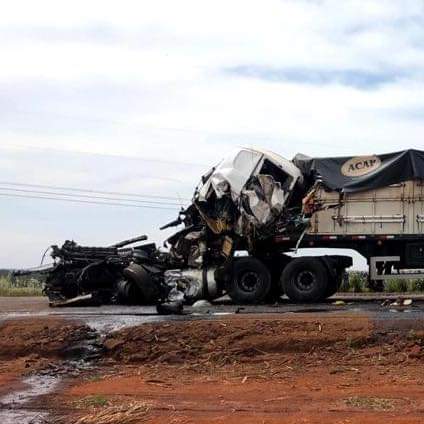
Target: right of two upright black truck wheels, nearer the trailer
x,y
305,280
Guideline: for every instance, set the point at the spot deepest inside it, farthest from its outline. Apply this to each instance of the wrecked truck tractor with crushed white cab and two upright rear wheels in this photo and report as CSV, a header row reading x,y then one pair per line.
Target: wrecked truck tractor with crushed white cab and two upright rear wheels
x,y
227,243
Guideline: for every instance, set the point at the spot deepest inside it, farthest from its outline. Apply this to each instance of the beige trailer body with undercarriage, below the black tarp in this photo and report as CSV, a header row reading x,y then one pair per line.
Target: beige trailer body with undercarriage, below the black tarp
x,y
385,225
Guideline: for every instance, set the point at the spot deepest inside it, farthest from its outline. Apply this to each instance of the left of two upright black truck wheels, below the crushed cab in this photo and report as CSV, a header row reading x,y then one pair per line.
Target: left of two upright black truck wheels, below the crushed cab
x,y
250,283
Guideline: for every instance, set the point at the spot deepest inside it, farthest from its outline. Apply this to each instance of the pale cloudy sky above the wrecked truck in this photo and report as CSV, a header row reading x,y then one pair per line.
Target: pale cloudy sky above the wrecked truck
x,y
137,96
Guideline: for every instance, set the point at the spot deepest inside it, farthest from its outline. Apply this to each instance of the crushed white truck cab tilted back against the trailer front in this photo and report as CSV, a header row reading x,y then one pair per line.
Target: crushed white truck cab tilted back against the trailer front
x,y
252,186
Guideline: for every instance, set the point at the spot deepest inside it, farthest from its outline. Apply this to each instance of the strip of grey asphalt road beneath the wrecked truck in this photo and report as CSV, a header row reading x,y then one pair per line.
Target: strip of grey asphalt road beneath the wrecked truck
x,y
378,307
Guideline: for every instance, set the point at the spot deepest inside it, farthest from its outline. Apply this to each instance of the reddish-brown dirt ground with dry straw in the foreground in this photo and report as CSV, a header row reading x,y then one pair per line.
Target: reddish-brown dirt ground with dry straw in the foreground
x,y
249,369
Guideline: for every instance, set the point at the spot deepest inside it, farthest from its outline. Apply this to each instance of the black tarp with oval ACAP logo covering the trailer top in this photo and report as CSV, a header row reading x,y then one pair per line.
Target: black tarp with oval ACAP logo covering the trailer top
x,y
380,170
